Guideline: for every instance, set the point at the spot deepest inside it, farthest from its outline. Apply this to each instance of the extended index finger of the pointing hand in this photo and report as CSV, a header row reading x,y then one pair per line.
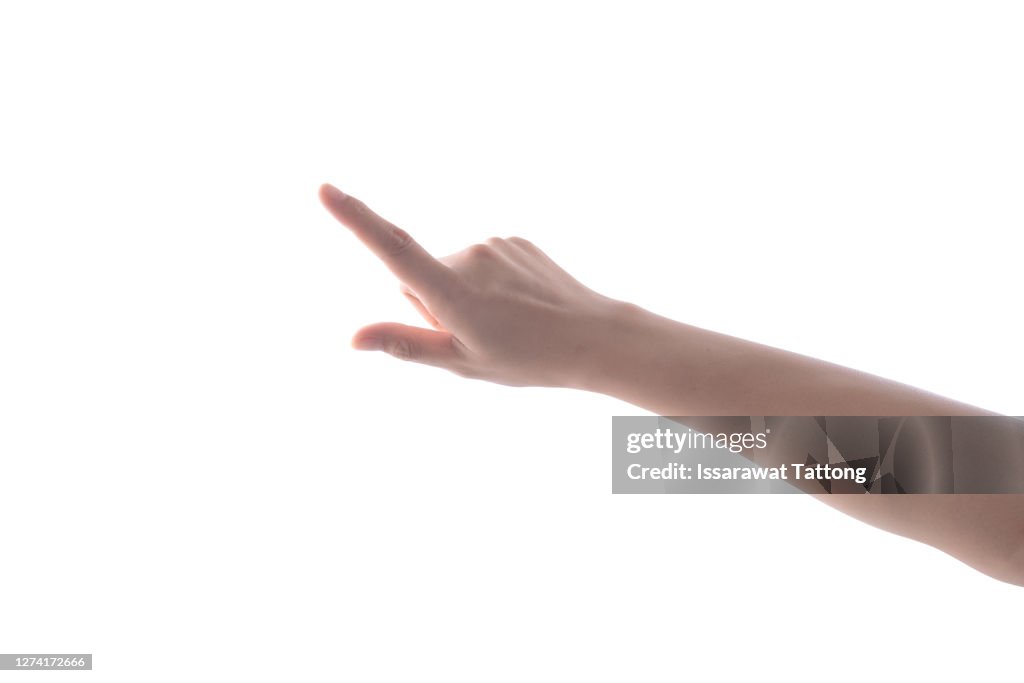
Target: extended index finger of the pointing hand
x,y
401,253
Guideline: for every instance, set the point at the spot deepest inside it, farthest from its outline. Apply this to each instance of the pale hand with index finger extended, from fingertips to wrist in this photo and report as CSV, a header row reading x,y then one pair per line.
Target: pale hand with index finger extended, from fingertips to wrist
x,y
501,311
